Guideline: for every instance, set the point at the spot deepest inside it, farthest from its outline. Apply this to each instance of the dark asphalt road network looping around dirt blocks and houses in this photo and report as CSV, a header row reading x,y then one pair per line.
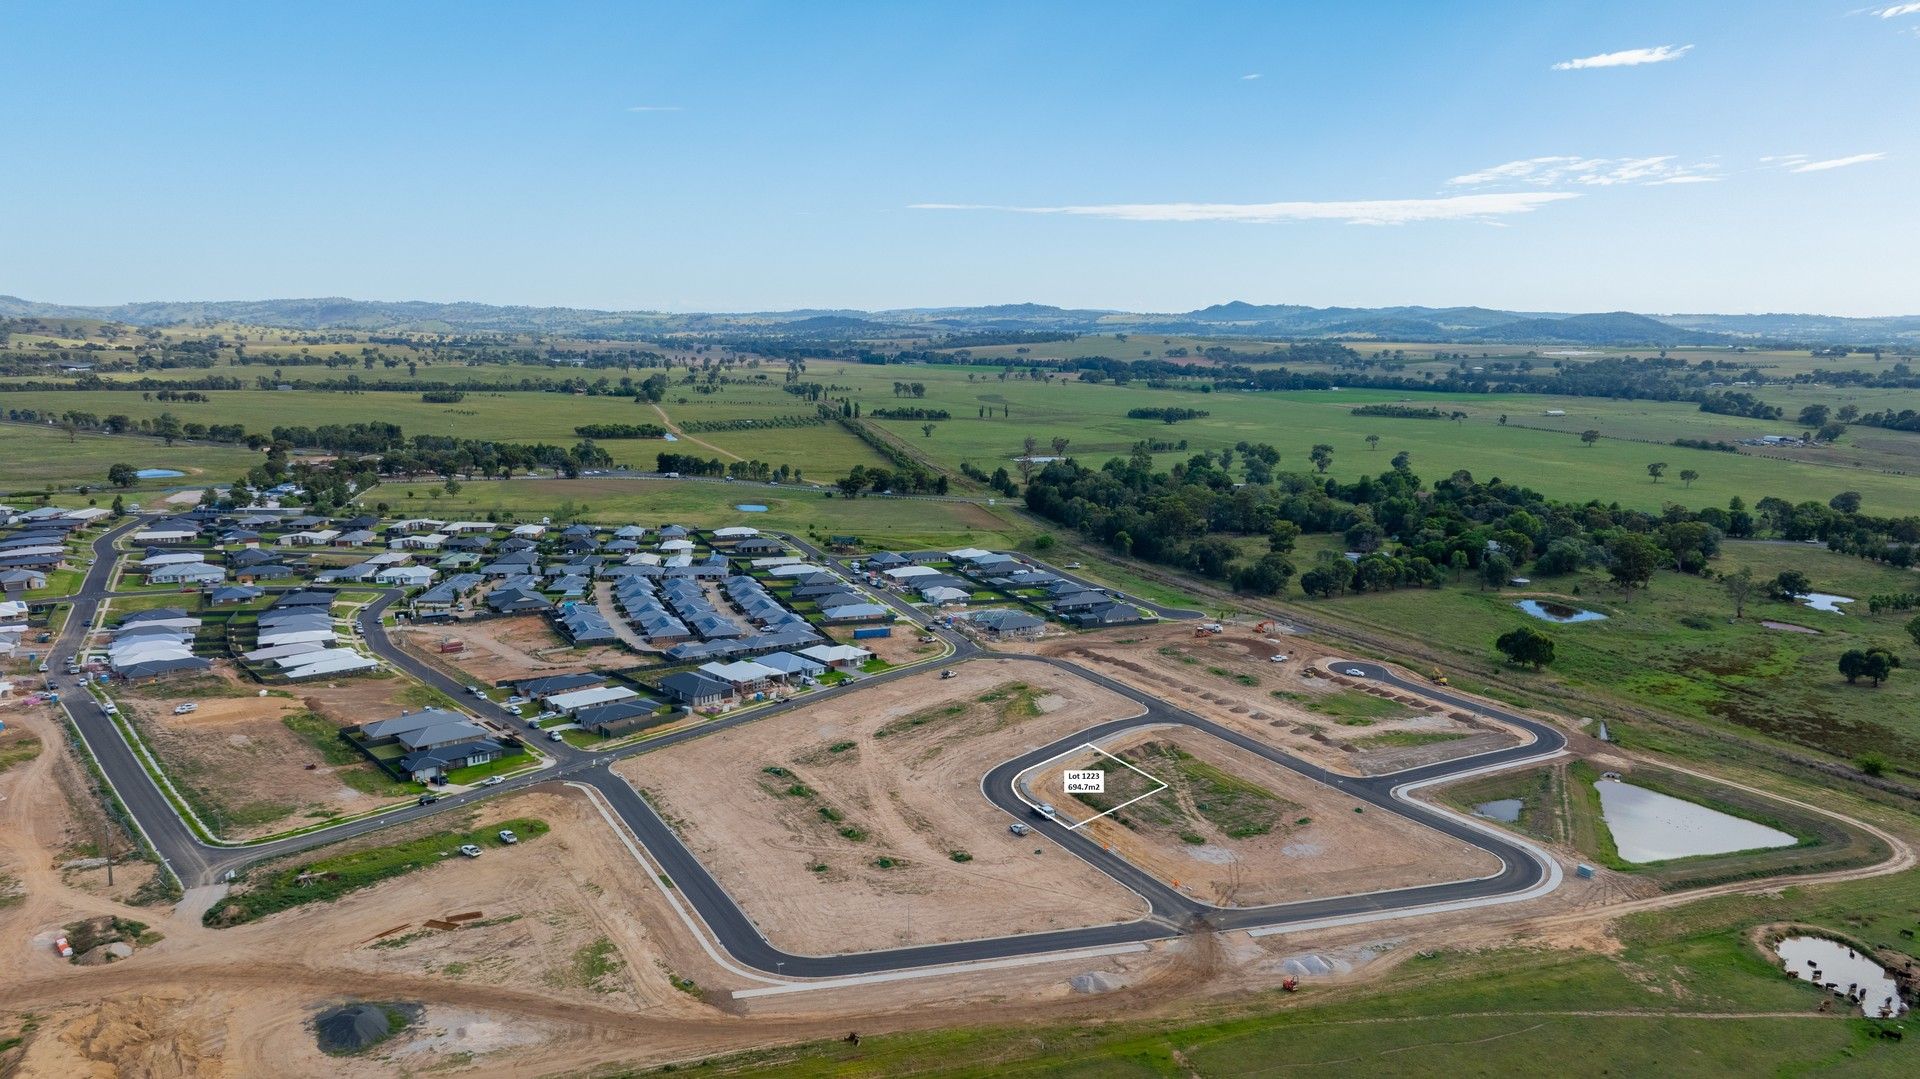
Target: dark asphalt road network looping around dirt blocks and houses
x,y
1172,913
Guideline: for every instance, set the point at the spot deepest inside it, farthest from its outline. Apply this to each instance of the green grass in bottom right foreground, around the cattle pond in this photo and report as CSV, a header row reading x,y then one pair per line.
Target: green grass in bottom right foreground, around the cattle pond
x,y
1689,994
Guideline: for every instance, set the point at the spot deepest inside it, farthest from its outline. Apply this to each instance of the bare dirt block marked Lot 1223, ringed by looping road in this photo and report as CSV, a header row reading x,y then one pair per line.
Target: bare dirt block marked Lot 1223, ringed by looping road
x,y
1237,830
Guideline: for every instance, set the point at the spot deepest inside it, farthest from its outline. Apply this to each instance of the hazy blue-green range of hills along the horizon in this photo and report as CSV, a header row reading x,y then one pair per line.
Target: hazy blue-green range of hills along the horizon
x,y
1280,322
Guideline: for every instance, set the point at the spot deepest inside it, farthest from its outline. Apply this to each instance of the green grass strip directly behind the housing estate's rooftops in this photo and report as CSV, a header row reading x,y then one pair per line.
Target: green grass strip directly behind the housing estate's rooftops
x,y
804,512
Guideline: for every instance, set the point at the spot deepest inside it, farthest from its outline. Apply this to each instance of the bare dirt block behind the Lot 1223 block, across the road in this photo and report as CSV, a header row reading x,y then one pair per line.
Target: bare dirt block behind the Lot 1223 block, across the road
x,y
1234,681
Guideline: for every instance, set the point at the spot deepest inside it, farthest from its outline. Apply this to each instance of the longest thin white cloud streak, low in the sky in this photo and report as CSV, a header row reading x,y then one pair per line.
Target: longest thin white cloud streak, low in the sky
x,y
1353,212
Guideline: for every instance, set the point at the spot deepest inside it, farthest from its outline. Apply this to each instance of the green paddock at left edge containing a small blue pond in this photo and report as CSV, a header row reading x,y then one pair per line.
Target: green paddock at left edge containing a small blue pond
x,y
34,458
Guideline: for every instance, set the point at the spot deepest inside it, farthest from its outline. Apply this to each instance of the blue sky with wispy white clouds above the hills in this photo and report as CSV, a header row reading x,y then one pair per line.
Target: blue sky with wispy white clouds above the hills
x,y
1752,156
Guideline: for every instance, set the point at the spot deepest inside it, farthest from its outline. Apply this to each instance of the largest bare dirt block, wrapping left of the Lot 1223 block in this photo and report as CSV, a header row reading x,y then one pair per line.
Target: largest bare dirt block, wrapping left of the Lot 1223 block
x,y
838,827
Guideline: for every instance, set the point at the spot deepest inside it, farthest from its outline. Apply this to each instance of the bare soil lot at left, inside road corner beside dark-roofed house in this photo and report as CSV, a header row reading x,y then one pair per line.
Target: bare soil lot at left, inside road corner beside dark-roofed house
x,y
245,757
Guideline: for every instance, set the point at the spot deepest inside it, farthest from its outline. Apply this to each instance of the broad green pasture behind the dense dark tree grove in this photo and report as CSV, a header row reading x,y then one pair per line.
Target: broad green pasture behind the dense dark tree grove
x,y
1093,420
